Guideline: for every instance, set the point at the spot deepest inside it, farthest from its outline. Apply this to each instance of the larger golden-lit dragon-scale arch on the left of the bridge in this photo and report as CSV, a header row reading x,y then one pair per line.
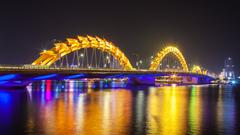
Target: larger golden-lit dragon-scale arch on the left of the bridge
x,y
48,57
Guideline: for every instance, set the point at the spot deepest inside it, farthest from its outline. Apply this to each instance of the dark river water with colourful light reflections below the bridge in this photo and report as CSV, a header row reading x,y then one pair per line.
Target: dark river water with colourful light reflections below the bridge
x,y
66,108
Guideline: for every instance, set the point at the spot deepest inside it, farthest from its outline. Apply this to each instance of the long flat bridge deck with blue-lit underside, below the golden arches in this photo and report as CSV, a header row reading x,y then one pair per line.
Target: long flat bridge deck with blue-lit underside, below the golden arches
x,y
18,76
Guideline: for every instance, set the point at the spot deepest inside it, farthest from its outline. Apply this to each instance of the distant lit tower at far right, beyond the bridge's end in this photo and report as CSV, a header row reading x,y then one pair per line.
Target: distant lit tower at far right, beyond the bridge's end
x,y
228,69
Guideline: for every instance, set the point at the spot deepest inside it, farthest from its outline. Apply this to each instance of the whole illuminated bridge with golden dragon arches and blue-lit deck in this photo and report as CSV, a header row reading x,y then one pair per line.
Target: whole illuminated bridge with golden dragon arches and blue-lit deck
x,y
94,57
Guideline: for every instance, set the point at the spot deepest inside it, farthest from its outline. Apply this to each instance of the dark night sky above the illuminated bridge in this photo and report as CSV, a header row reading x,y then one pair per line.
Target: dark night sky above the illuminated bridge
x,y
206,33
